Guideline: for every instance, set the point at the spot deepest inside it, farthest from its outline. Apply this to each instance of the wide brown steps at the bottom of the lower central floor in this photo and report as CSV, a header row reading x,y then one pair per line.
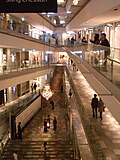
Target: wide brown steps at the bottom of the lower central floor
x,y
33,150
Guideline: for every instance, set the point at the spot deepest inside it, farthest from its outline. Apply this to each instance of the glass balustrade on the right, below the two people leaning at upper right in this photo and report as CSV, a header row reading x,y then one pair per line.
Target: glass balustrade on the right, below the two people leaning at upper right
x,y
104,59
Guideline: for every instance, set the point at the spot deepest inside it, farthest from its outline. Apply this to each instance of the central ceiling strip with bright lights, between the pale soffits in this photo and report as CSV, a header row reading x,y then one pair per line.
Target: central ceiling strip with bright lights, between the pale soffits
x,y
67,10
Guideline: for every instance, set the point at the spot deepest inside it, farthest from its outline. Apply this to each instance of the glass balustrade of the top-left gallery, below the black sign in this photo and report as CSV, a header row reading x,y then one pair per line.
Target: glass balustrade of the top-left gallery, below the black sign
x,y
23,29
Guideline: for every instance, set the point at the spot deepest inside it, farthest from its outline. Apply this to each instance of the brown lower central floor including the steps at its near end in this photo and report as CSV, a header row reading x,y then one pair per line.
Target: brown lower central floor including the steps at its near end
x,y
59,145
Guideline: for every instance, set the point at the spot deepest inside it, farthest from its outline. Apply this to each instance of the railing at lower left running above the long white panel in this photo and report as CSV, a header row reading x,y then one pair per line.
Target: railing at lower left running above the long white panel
x,y
14,108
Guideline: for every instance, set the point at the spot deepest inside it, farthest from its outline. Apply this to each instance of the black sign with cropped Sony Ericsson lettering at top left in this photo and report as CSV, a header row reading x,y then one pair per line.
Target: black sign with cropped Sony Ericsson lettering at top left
x,y
28,6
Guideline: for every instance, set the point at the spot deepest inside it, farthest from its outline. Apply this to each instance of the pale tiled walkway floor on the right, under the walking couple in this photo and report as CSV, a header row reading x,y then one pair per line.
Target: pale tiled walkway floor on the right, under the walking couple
x,y
105,134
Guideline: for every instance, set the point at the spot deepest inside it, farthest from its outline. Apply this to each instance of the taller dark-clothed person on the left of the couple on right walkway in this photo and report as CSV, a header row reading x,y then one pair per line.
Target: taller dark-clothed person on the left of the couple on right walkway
x,y
94,105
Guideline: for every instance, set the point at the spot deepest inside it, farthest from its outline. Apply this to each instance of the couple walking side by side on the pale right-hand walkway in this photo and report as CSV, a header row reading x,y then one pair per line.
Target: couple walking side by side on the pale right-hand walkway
x,y
97,105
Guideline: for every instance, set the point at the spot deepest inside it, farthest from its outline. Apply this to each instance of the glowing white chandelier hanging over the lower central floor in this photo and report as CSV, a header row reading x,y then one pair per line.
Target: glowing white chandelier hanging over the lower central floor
x,y
47,93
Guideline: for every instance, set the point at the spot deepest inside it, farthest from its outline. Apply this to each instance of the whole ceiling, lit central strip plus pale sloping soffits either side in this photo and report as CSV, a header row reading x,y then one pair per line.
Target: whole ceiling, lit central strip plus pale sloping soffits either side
x,y
76,19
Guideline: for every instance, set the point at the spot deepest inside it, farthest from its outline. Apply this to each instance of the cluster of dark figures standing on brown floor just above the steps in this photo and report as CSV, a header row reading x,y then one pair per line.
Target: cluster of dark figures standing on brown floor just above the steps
x,y
47,123
